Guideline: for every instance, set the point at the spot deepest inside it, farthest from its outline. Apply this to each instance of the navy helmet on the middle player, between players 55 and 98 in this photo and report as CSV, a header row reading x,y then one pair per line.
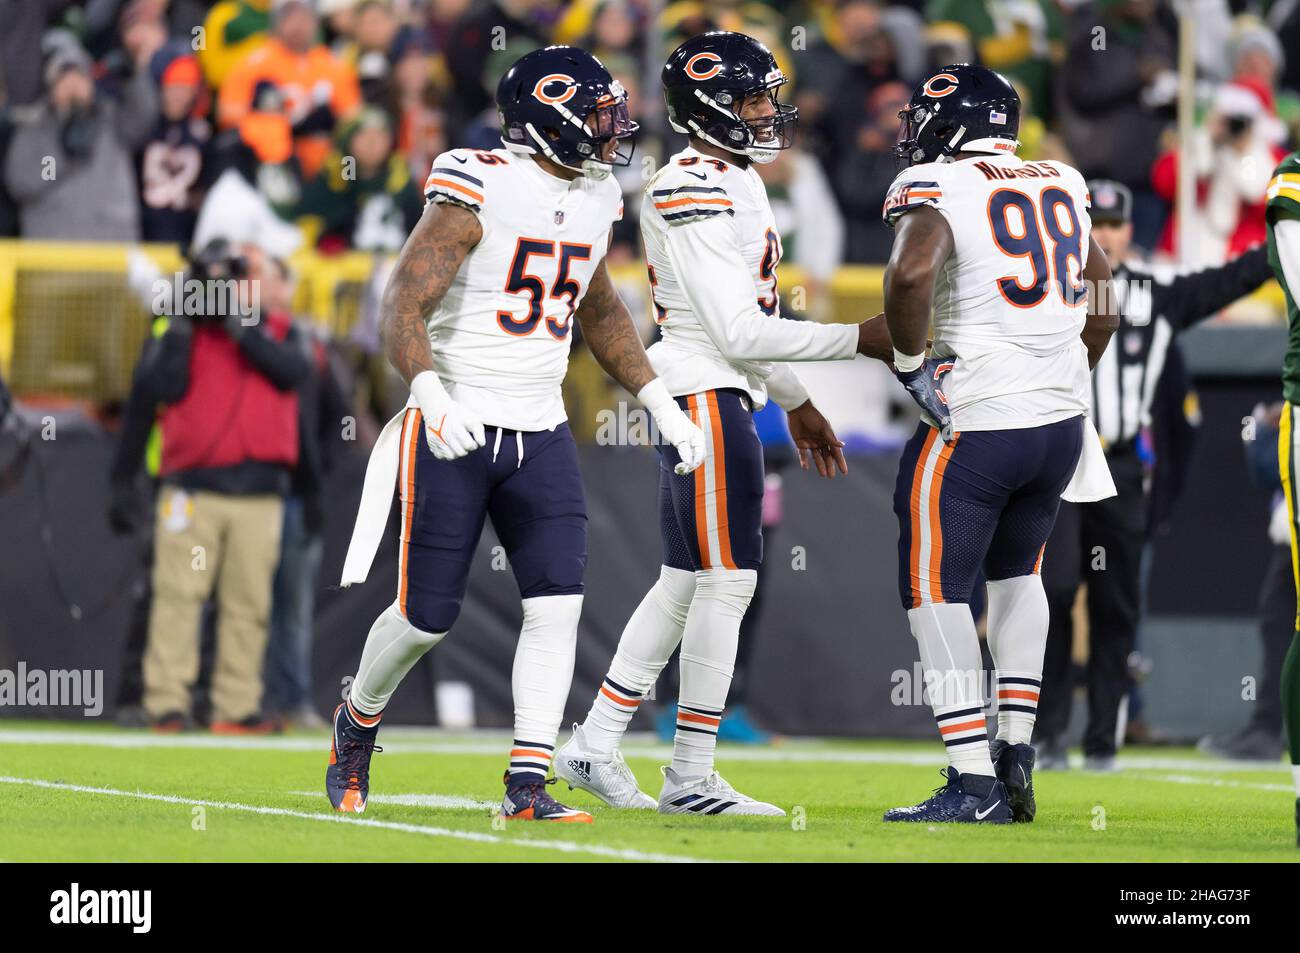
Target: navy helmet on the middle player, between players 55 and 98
x,y
708,79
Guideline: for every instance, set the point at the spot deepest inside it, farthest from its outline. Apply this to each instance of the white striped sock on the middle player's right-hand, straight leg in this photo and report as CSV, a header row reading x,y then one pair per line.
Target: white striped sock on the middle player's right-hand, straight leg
x,y
708,661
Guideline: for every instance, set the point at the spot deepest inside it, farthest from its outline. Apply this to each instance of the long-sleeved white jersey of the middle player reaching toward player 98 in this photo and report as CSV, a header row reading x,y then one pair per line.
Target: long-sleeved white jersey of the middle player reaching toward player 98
x,y
712,254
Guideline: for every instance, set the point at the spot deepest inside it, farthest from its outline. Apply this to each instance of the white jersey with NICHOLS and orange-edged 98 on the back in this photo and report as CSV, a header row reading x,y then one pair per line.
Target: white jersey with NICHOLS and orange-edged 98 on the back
x,y
1009,305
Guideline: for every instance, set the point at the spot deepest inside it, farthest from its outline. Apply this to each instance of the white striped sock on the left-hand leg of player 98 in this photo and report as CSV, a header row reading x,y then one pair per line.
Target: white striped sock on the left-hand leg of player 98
x,y
951,666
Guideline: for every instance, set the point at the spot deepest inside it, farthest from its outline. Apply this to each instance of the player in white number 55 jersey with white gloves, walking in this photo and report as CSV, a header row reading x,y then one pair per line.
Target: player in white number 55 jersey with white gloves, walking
x,y
478,317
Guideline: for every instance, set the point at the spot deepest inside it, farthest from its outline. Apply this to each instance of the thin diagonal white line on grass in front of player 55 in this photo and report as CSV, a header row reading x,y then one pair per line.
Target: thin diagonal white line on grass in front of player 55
x,y
560,846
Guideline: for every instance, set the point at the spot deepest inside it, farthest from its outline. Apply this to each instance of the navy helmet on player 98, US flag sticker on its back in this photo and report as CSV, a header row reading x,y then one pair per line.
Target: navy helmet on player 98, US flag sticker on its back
x,y
960,109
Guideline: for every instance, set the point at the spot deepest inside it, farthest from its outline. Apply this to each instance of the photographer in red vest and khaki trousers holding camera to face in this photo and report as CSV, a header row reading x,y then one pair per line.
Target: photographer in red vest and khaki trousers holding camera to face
x,y
227,376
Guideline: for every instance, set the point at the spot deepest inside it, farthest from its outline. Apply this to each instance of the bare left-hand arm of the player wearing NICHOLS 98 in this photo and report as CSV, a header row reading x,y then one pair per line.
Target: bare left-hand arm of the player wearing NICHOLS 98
x,y
922,245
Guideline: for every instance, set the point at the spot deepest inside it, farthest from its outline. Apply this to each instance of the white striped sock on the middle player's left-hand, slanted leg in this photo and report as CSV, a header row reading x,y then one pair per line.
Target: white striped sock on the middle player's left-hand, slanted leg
x,y
645,648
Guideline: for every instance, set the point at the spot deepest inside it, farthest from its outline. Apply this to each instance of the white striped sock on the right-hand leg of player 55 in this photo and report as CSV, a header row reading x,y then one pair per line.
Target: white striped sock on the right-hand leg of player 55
x,y
544,669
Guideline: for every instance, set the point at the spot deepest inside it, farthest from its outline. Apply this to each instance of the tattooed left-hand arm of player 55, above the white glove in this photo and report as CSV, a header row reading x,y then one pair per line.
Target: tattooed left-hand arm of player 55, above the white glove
x,y
426,270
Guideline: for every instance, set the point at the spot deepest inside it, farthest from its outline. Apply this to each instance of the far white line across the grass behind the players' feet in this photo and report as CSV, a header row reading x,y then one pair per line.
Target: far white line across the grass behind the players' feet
x,y
400,740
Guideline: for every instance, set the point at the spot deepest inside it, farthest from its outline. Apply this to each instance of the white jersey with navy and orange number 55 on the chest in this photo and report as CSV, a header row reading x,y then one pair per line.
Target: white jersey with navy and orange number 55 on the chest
x,y
501,336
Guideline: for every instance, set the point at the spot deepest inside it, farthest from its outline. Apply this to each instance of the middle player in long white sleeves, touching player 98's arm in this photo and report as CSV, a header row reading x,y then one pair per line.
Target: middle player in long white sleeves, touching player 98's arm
x,y
712,250
